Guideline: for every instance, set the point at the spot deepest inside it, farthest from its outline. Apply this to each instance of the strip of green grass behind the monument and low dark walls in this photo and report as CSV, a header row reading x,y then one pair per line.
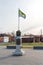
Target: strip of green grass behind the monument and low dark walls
x,y
23,44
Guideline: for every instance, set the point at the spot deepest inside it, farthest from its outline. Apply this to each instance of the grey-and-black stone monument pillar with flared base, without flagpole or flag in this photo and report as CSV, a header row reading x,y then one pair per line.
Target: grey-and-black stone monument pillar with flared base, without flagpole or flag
x,y
18,51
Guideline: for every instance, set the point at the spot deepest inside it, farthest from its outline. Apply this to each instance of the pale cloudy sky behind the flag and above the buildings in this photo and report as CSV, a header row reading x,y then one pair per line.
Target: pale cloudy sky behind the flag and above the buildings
x,y
9,15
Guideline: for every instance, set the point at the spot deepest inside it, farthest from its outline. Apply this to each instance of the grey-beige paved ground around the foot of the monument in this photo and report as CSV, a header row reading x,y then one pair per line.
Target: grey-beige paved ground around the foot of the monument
x,y
31,57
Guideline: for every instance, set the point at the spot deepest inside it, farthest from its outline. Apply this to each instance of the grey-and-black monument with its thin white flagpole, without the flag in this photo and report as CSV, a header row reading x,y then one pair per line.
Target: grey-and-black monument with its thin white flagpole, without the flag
x,y
18,51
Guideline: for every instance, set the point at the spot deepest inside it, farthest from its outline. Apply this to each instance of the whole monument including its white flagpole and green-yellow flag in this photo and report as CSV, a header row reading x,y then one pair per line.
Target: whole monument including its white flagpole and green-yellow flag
x,y
19,51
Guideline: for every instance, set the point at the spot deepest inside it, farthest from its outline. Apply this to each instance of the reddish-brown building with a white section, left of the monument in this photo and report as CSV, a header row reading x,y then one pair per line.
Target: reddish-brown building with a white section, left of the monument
x,y
6,38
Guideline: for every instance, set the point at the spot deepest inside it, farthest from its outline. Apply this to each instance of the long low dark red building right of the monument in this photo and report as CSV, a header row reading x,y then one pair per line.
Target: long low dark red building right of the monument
x,y
31,38
